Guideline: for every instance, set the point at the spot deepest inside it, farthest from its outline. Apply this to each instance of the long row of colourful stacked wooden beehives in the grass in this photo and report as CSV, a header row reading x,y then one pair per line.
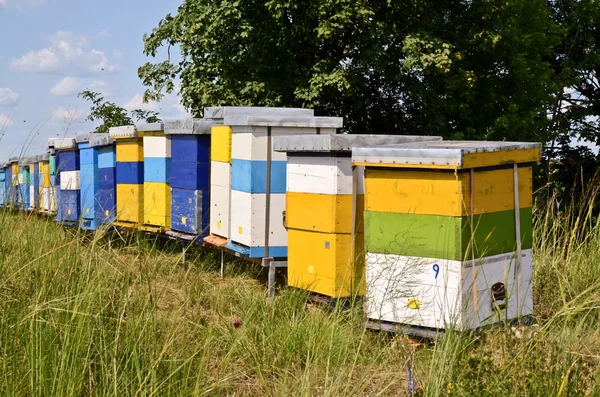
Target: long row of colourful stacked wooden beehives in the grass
x,y
433,212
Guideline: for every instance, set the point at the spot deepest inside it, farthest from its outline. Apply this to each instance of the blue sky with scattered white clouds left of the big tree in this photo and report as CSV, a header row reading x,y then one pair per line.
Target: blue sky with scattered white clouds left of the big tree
x,y
53,49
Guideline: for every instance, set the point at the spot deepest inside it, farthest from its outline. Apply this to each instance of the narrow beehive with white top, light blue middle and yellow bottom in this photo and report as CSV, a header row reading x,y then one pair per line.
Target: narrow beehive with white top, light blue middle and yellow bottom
x,y
157,163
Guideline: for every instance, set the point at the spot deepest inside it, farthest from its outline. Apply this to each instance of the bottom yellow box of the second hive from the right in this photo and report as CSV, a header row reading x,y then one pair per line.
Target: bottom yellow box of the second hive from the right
x,y
323,263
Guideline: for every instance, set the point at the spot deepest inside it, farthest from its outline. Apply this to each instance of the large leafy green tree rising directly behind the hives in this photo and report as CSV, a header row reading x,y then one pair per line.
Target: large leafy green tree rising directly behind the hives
x,y
469,69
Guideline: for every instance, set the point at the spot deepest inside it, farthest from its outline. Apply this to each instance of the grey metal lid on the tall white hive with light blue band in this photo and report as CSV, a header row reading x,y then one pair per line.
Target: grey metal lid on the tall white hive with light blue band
x,y
285,121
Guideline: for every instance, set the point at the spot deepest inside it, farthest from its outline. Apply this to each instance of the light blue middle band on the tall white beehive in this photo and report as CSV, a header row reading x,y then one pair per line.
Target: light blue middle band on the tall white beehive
x,y
250,176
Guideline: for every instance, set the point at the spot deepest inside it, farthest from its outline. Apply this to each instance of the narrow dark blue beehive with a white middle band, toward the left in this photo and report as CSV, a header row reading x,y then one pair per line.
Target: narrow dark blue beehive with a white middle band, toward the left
x,y
68,182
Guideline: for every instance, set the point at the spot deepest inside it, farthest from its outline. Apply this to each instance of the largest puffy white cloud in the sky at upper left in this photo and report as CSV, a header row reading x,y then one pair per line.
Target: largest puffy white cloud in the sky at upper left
x,y
67,52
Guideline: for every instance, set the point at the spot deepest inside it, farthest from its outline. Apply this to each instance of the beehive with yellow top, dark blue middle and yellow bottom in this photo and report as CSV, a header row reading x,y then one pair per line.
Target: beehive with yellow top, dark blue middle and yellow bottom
x,y
129,176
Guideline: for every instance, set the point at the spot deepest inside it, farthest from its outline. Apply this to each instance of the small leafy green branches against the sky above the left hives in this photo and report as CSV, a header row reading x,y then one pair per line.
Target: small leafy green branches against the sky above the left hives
x,y
112,115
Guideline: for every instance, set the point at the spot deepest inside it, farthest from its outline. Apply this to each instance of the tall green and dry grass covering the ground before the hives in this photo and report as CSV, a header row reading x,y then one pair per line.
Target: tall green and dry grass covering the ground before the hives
x,y
79,319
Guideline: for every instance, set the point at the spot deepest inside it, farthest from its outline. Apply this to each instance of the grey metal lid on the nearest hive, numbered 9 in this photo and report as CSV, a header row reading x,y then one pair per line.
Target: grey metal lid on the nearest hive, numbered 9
x,y
437,153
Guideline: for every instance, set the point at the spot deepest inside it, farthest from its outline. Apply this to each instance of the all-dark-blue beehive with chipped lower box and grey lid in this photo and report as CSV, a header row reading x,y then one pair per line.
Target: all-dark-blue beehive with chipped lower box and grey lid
x,y
190,176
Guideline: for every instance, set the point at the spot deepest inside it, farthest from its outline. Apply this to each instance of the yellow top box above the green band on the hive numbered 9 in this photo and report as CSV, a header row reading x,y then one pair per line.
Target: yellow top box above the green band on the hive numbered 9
x,y
444,193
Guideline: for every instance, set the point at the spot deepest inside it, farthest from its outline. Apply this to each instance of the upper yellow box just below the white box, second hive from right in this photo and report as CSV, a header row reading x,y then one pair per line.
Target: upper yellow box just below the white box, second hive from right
x,y
324,213
